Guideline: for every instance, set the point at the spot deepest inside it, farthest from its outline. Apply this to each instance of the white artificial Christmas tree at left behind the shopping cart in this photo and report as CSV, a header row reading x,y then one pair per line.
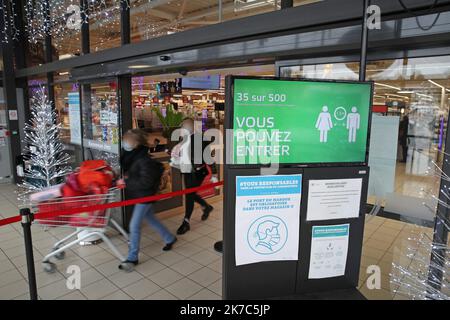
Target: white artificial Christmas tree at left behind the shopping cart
x,y
46,161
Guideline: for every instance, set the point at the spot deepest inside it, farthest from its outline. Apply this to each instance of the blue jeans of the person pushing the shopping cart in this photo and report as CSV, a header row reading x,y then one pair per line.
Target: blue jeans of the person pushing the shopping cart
x,y
143,211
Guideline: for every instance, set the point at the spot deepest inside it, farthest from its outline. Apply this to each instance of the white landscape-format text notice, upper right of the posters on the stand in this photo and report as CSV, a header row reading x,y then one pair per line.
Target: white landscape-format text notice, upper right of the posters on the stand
x,y
334,199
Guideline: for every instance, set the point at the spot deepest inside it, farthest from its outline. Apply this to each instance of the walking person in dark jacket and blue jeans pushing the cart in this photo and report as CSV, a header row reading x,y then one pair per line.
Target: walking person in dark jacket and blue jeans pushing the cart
x,y
142,179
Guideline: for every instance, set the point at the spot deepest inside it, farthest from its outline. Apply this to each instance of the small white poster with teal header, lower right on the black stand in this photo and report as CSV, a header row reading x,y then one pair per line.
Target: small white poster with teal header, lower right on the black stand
x,y
329,247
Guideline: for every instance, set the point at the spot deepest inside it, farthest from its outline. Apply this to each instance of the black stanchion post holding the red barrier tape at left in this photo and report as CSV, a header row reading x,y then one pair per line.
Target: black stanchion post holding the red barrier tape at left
x,y
27,219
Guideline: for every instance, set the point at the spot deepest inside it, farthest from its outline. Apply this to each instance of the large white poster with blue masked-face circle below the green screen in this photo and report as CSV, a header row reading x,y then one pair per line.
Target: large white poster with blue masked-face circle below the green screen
x,y
267,218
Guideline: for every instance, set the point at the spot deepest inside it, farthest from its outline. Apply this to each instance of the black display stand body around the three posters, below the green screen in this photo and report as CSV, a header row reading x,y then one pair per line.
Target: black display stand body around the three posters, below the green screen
x,y
289,279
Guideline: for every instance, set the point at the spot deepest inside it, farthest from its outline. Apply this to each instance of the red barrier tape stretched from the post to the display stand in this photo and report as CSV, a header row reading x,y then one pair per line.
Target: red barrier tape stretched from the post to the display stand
x,y
72,211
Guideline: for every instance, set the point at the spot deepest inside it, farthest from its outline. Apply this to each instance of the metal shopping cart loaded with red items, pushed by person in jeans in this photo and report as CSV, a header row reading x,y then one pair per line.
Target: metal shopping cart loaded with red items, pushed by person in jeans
x,y
88,225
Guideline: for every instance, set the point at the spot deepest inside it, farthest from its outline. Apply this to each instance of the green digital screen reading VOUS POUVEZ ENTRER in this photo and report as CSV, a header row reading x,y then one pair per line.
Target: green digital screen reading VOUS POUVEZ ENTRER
x,y
299,122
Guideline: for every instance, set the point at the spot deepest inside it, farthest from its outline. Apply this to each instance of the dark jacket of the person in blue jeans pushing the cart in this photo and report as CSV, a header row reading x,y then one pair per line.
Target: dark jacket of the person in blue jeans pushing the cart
x,y
143,174
